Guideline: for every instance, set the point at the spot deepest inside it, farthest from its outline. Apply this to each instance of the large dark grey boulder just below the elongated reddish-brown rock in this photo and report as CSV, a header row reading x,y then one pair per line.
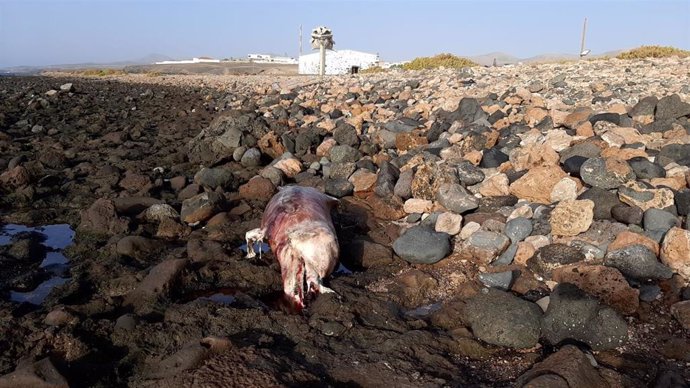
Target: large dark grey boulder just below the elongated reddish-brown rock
x,y
572,314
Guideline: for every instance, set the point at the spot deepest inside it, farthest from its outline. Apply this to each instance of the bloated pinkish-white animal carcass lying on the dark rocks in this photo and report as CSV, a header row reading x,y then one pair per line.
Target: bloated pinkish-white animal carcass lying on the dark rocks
x,y
297,222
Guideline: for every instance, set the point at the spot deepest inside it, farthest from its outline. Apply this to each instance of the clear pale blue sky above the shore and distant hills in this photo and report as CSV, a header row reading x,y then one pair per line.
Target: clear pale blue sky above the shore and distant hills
x,y
41,32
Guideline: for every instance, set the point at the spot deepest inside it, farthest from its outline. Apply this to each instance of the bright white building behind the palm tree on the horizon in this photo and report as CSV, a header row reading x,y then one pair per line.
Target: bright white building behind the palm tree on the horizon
x,y
338,62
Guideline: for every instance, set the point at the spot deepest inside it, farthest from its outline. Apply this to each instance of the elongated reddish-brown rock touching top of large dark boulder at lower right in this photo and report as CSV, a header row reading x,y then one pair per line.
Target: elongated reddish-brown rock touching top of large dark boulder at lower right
x,y
606,283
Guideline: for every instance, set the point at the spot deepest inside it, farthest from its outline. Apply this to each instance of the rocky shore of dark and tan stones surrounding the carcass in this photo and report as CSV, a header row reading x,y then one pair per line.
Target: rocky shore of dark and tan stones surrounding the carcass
x,y
507,226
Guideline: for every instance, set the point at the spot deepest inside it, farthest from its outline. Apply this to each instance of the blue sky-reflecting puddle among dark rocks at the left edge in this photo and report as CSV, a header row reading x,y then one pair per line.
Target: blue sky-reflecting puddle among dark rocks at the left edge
x,y
54,238
